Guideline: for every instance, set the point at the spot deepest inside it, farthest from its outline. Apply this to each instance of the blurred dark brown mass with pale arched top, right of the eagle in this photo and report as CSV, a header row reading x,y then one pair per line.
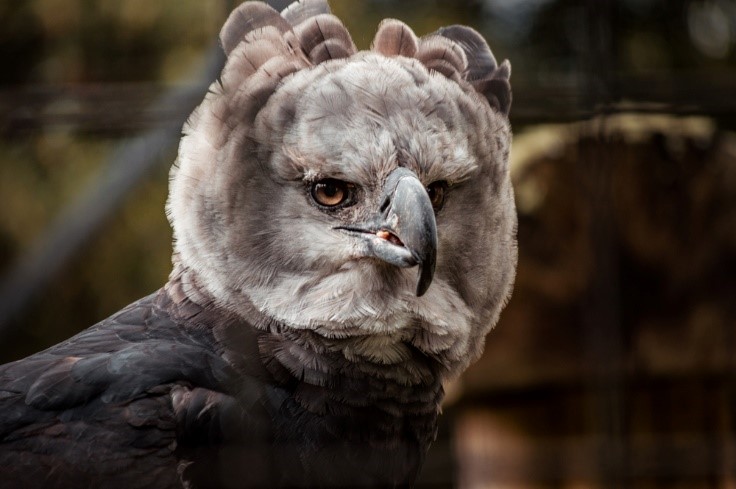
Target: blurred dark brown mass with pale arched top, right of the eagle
x,y
632,387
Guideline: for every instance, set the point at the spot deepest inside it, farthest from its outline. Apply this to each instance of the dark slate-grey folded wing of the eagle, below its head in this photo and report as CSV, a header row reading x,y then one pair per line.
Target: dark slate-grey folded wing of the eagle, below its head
x,y
101,405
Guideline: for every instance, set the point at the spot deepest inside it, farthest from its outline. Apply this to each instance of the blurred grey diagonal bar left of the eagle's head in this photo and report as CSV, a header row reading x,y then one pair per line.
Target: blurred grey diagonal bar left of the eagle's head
x,y
127,165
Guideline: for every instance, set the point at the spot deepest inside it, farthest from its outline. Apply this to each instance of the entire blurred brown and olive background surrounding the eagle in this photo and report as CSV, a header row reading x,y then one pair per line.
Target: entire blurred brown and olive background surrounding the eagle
x,y
613,365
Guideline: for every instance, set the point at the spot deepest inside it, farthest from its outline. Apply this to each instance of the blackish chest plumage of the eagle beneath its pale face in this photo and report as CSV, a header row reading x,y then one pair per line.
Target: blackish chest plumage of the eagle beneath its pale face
x,y
341,421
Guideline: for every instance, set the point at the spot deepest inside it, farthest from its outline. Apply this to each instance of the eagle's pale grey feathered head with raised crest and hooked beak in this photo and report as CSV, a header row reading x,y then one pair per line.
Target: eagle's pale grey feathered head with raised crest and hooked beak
x,y
350,193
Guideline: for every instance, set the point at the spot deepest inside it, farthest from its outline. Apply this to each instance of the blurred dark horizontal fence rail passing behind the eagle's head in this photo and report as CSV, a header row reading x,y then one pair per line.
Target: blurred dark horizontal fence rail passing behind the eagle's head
x,y
124,108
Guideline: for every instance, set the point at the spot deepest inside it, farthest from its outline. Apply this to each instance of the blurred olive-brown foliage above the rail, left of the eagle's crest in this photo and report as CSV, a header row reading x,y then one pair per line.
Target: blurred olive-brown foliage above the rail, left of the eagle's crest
x,y
77,41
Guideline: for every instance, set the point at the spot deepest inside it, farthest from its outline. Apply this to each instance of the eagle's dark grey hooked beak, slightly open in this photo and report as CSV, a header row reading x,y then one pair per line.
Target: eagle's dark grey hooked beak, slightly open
x,y
405,232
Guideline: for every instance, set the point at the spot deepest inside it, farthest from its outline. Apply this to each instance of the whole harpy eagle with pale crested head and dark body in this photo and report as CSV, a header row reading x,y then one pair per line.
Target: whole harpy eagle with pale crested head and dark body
x,y
344,233
